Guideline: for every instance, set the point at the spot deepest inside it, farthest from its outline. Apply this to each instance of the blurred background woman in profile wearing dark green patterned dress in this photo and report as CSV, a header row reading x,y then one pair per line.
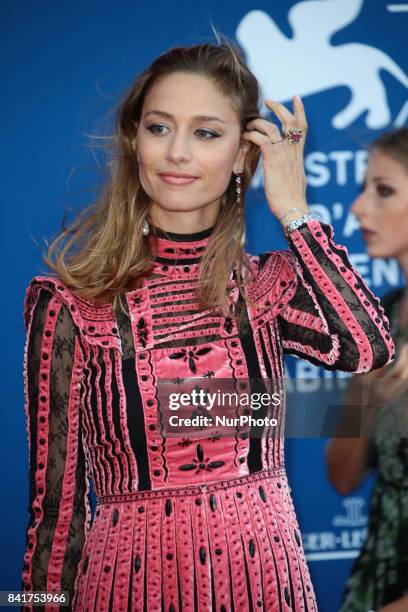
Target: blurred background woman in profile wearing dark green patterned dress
x,y
379,578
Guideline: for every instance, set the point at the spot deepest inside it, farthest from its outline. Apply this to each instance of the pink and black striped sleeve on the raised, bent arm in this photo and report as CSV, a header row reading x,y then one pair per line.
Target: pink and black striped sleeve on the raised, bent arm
x,y
333,319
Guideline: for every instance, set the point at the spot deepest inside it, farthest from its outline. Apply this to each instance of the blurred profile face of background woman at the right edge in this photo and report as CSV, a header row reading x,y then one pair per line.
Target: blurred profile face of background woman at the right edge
x,y
382,207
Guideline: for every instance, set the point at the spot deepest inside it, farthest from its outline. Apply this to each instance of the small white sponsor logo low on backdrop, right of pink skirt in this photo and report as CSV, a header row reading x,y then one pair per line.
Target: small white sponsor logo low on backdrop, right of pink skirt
x,y
346,537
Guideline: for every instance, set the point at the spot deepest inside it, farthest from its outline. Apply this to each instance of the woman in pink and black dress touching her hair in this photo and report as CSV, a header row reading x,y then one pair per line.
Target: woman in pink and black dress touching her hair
x,y
153,283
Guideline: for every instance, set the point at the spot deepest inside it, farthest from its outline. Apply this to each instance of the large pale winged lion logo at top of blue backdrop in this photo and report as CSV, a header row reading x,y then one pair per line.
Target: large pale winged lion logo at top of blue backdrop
x,y
309,62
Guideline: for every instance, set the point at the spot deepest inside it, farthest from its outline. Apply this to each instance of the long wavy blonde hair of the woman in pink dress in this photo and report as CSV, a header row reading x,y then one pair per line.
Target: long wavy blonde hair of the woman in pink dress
x,y
103,252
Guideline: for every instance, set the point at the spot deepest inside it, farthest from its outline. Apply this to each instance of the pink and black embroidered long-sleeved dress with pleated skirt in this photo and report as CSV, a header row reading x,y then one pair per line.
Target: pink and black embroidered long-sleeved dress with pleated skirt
x,y
206,524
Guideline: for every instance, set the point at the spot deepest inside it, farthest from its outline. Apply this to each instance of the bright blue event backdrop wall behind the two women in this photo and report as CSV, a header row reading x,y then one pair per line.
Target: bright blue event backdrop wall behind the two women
x,y
65,66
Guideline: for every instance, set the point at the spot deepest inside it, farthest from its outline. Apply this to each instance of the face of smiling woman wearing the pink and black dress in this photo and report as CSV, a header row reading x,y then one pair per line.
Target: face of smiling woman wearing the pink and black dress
x,y
188,143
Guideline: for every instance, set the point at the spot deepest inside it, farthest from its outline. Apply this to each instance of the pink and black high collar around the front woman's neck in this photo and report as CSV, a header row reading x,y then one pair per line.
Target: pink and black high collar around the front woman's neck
x,y
172,248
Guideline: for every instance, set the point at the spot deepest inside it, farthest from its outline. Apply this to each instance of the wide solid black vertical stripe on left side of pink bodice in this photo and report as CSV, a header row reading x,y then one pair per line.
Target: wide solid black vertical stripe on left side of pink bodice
x,y
135,421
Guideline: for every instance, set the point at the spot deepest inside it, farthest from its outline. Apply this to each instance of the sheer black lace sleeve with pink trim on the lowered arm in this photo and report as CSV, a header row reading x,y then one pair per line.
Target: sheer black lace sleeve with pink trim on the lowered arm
x,y
58,486
